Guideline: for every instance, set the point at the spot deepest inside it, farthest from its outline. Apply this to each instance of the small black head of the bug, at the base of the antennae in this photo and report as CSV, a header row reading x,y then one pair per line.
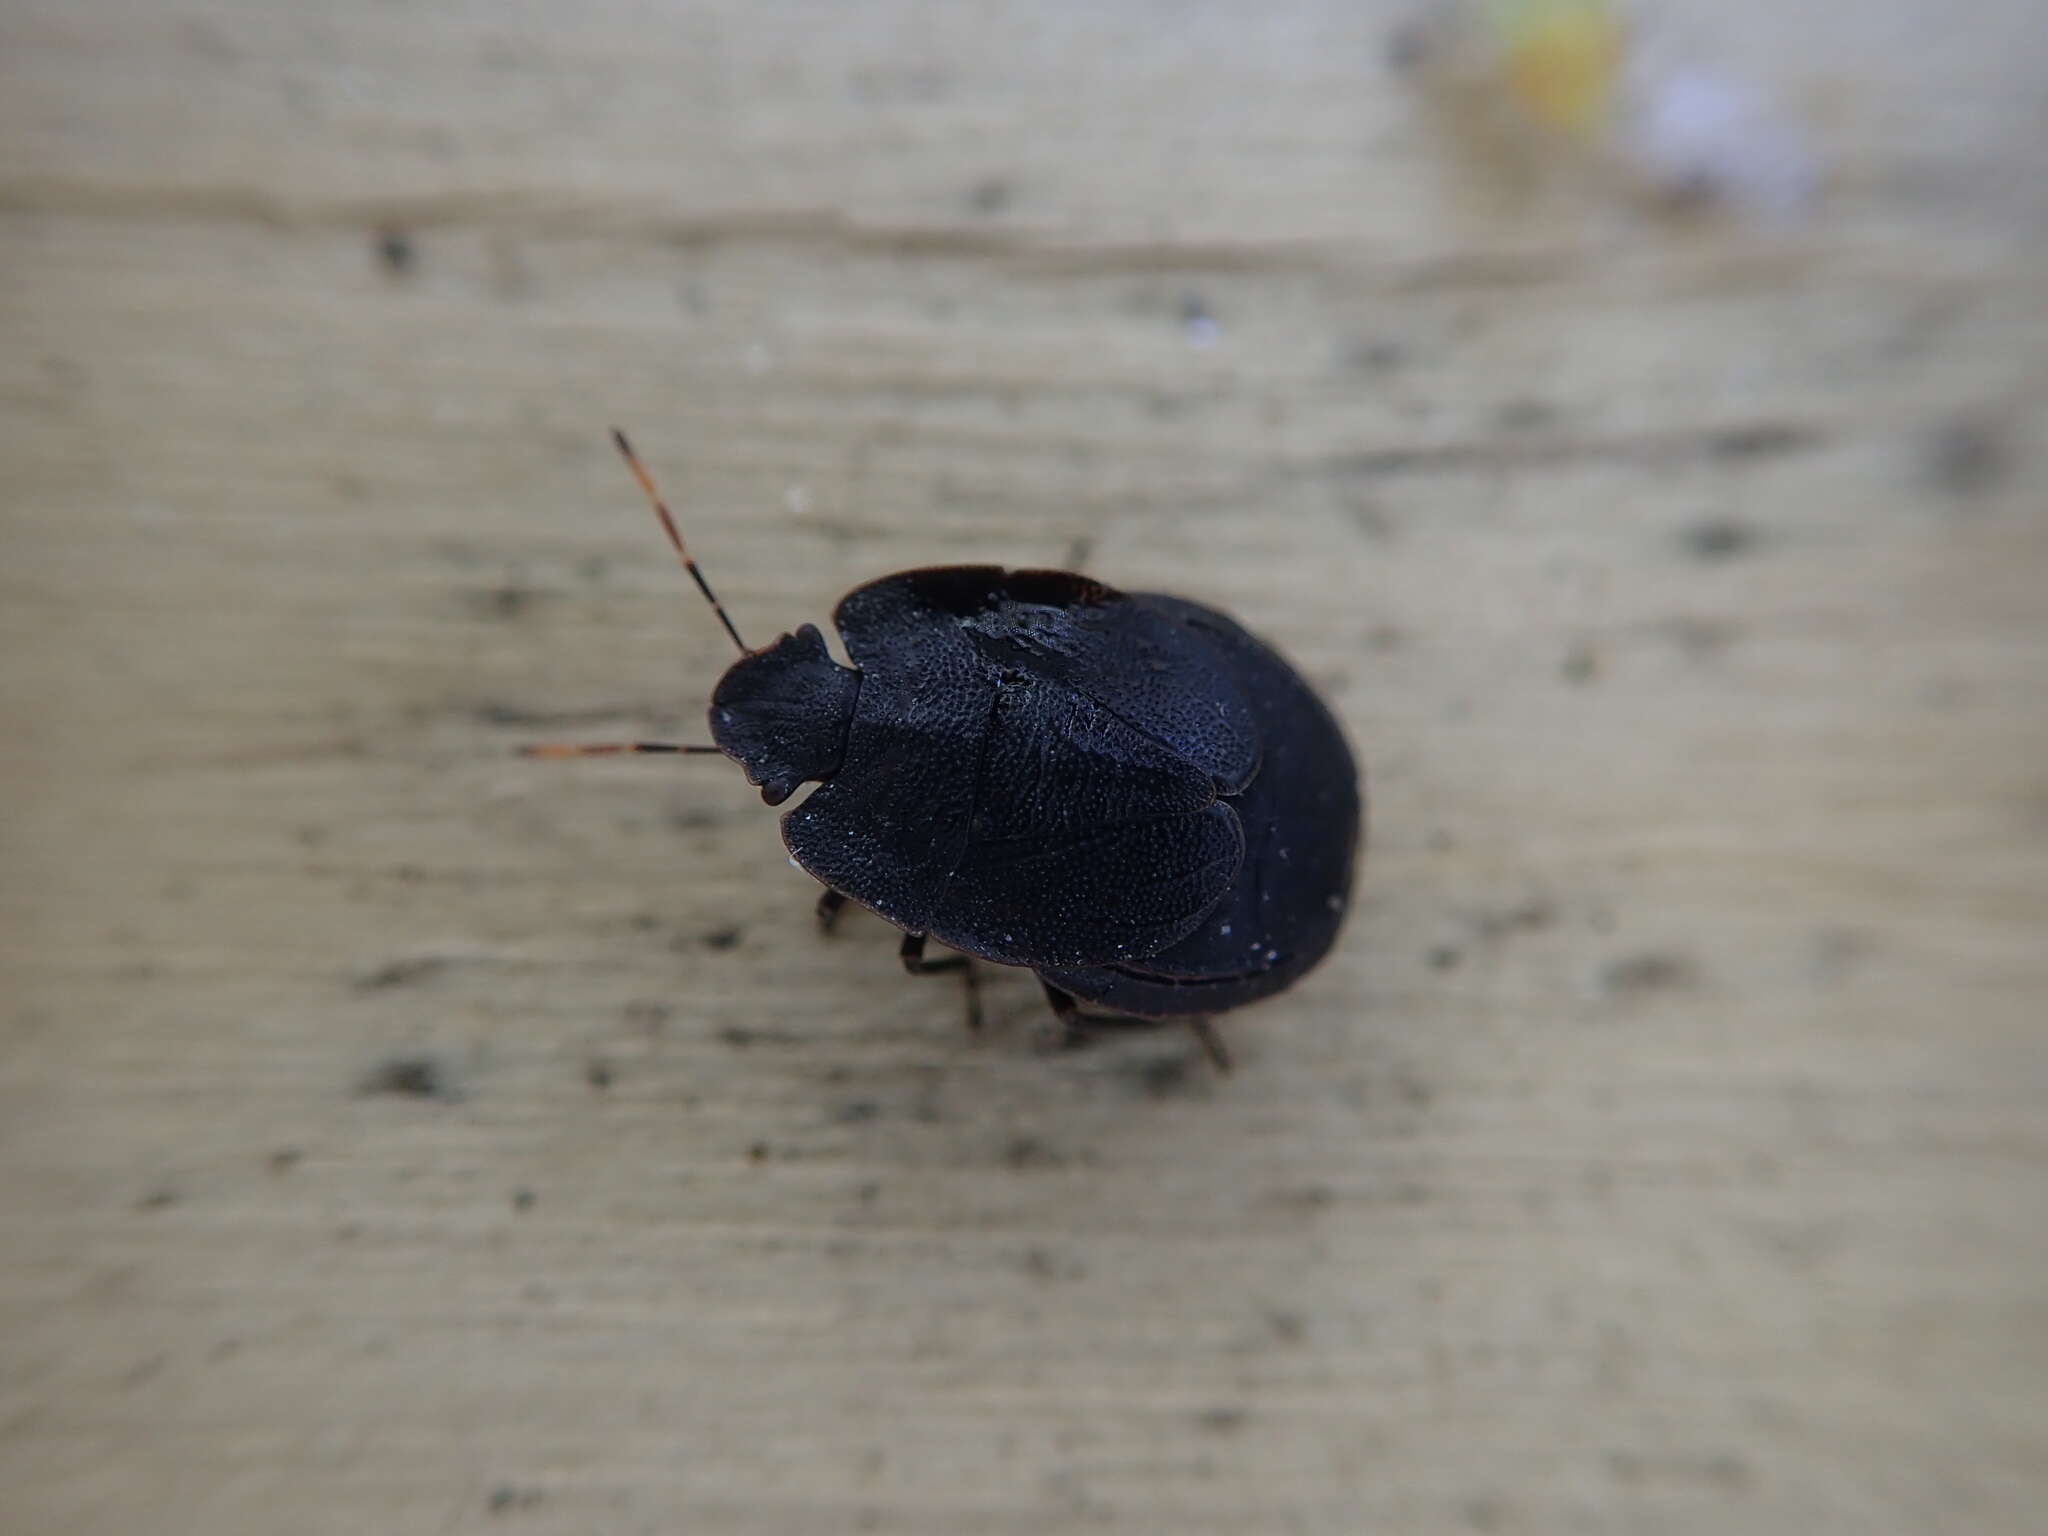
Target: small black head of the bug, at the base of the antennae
x,y
783,714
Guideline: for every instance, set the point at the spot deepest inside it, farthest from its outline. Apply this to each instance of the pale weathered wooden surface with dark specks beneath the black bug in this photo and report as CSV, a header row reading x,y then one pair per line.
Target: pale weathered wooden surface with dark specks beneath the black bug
x,y
404,1138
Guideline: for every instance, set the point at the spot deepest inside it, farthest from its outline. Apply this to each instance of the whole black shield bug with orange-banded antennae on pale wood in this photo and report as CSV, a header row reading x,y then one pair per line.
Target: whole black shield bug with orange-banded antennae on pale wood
x,y
1125,794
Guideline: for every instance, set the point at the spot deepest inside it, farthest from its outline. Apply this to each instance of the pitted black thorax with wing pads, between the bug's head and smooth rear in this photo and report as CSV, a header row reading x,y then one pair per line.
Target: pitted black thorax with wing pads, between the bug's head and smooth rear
x,y
1033,769
